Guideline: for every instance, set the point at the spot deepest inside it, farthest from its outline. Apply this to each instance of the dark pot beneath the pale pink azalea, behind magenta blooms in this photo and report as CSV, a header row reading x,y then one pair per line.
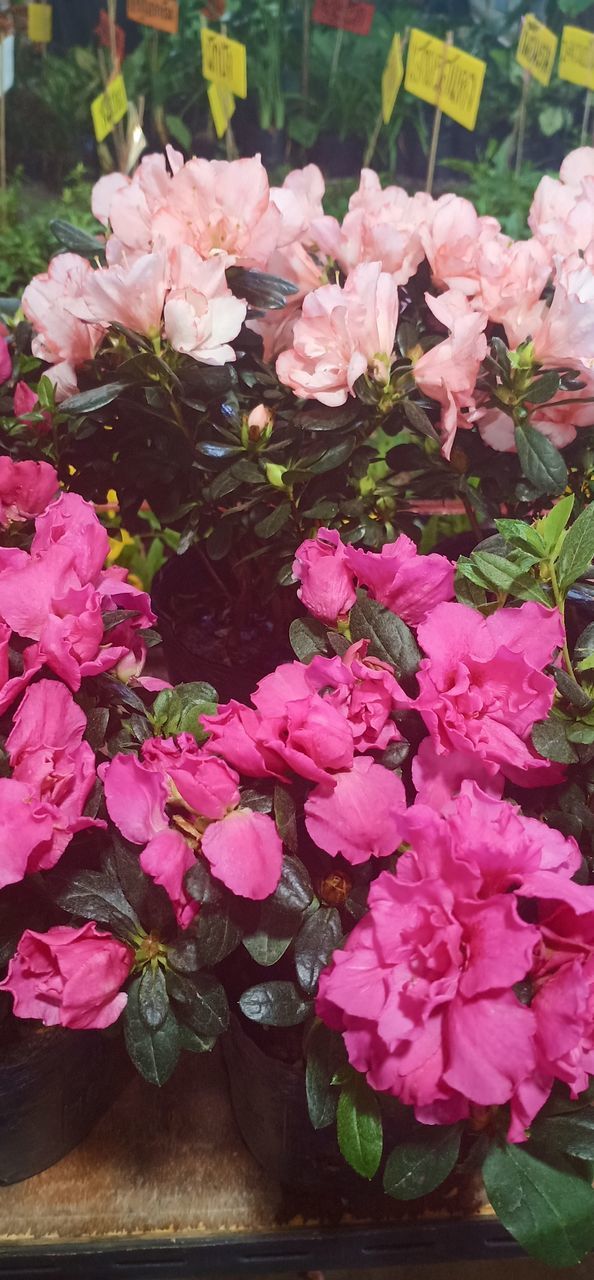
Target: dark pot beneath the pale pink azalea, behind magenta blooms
x,y
195,643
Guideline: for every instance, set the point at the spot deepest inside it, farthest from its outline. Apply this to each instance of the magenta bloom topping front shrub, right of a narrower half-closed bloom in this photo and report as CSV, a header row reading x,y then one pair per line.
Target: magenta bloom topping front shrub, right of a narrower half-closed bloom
x,y
409,584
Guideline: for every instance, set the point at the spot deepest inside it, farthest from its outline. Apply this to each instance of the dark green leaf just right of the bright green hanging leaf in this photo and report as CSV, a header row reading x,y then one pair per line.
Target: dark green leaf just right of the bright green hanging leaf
x,y
417,1168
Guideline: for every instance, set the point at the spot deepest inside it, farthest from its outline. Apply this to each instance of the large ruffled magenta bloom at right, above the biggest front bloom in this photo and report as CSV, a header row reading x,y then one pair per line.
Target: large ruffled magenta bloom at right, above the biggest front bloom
x,y
482,685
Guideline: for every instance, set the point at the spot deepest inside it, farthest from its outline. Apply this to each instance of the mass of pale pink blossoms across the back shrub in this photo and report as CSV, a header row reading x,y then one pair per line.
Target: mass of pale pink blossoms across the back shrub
x,y
175,228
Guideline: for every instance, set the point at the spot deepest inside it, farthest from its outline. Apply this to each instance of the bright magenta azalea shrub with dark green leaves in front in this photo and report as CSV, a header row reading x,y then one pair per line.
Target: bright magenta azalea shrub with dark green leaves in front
x,y
390,847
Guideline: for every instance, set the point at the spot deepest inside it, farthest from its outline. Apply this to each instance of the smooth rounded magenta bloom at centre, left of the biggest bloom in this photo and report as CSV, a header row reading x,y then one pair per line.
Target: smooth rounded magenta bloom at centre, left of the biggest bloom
x,y
358,813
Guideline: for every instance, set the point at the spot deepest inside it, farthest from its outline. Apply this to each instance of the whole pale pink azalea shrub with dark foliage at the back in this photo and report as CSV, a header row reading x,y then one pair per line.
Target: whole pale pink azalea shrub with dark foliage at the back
x,y
254,368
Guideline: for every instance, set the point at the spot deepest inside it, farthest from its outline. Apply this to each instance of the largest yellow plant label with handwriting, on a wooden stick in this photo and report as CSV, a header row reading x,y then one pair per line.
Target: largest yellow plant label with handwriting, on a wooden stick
x,y
445,77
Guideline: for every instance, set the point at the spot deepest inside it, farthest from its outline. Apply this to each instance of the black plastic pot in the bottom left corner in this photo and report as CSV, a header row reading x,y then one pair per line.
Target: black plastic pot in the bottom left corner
x,y
54,1086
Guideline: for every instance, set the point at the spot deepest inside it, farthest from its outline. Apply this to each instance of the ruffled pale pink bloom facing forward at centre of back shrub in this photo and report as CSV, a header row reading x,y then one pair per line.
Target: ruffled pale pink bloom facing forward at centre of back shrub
x,y
342,335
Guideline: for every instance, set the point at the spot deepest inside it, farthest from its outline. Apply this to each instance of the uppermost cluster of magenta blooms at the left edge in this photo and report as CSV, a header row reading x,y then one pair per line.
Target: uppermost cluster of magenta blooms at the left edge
x,y
54,597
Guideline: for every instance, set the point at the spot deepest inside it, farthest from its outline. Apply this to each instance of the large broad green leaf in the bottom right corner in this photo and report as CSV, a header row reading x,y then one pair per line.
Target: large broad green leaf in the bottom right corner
x,y
549,1209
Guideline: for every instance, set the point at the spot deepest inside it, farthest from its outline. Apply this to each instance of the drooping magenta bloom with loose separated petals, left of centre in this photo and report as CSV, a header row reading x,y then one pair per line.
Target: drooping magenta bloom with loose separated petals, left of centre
x,y
180,801
